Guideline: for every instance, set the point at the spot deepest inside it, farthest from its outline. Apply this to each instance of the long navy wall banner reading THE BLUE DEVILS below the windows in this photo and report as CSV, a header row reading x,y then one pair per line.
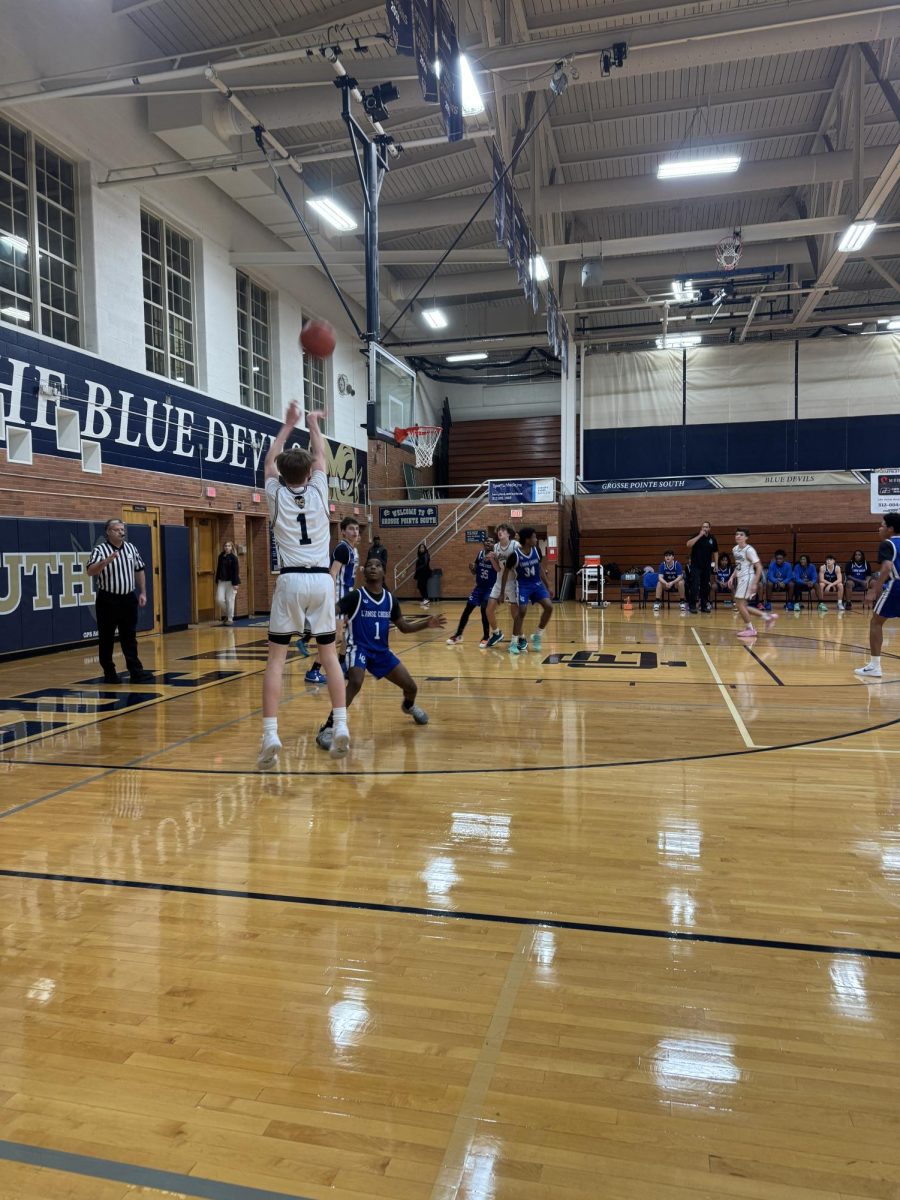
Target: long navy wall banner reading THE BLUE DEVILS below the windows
x,y
146,422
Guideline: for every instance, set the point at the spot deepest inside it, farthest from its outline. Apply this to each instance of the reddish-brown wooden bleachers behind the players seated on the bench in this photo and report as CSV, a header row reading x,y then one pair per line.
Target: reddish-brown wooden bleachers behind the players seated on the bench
x,y
641,547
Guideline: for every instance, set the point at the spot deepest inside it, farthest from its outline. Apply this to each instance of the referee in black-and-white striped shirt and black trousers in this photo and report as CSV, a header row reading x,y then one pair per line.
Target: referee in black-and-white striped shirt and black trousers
x,y
118,567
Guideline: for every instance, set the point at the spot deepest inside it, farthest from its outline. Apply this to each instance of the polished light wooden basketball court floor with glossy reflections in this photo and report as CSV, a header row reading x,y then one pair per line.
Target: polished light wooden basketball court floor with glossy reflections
x,y
621,923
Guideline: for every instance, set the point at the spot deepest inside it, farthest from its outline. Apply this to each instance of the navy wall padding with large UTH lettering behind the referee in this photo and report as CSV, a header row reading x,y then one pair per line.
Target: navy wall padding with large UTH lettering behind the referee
x,y
46,596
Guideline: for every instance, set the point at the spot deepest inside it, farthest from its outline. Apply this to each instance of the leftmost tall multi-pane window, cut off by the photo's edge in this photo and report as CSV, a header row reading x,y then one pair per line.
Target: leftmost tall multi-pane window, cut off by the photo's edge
x,y
39,224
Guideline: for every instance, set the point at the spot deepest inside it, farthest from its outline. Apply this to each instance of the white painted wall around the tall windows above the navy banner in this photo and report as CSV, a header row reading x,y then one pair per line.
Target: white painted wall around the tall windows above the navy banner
x,y
104,134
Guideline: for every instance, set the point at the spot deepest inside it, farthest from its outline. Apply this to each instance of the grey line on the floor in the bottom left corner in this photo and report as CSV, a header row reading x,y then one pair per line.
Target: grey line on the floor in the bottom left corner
x,y
135,1175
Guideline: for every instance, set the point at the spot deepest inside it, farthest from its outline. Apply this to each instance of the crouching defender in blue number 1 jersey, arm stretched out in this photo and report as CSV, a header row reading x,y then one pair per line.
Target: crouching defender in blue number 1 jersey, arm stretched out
x,y
370,613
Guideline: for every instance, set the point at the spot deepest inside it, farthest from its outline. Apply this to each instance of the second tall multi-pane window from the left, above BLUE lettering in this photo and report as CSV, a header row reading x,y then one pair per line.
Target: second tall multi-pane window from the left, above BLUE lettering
x,y
169,299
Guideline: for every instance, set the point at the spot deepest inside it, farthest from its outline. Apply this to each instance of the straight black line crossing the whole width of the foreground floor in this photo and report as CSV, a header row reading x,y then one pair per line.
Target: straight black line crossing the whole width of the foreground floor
x,y
585,927
